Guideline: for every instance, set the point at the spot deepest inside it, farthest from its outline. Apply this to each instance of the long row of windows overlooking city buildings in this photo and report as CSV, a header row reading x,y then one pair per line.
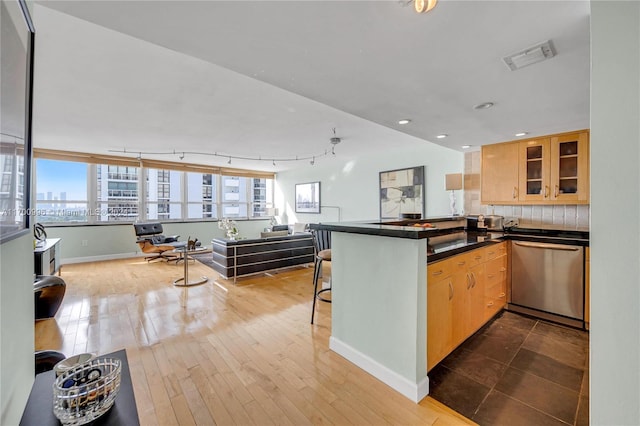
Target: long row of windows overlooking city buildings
x,y
75,191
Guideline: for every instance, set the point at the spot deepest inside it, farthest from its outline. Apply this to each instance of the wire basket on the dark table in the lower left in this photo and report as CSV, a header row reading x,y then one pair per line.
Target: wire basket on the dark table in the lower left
x,y
87,391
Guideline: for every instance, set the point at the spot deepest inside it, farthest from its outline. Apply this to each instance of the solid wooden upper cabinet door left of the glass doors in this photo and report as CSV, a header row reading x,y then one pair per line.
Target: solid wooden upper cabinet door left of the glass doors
x,y
499,176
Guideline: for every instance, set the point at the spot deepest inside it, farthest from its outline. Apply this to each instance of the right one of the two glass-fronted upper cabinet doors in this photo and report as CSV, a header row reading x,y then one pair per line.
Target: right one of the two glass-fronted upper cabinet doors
x,y
570,168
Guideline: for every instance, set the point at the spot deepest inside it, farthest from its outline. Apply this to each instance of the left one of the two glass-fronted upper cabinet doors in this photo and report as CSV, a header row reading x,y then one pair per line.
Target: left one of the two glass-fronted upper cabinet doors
x,y
534,170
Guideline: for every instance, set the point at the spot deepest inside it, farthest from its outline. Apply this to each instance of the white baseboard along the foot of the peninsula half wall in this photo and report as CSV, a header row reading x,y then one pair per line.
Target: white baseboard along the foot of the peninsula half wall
x,y
414,391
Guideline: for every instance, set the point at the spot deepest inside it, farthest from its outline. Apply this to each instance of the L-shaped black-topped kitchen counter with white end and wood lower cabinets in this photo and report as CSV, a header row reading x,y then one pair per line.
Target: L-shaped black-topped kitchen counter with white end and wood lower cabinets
x,y
382,273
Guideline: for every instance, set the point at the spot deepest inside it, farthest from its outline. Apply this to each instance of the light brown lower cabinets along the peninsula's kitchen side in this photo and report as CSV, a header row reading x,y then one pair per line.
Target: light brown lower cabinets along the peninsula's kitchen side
x,y
458,289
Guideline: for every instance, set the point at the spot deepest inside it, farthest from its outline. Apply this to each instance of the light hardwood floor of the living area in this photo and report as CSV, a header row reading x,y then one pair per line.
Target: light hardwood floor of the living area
x,y
221,353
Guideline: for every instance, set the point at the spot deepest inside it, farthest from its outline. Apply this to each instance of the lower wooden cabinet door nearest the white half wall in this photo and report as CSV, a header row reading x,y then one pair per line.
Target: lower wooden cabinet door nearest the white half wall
x,y
439,320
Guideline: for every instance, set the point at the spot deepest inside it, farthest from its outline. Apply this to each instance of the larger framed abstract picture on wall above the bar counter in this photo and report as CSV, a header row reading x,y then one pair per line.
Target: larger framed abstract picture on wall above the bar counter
x,y
402,192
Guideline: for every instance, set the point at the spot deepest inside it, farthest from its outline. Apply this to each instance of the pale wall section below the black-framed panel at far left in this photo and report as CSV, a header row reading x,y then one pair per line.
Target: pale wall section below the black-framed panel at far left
x,y
16,327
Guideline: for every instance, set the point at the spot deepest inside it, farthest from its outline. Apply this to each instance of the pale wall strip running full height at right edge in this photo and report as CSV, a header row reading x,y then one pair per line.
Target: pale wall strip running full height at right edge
x,y
615,213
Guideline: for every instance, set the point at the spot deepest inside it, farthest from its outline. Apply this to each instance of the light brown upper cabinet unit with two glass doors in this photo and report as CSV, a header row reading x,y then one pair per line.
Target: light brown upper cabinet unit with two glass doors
x,y
551,170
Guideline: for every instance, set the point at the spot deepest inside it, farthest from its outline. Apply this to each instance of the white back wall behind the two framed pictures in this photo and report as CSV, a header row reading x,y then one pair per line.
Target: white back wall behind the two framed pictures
x,y
349,189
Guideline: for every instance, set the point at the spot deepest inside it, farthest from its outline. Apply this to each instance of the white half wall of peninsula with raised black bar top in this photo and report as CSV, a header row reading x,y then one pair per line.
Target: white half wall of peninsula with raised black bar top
x,y
379,309
